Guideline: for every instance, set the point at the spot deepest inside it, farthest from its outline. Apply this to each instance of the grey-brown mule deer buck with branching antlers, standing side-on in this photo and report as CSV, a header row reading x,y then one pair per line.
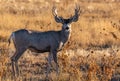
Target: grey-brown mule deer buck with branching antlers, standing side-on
x,y
40,42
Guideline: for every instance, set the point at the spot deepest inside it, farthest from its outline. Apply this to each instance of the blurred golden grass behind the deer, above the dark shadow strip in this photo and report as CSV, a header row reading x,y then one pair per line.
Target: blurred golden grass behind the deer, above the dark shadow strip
x,y
98,25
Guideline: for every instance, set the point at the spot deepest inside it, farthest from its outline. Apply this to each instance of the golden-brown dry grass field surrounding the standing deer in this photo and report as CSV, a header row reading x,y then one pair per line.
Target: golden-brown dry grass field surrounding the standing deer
x,y
93,51
